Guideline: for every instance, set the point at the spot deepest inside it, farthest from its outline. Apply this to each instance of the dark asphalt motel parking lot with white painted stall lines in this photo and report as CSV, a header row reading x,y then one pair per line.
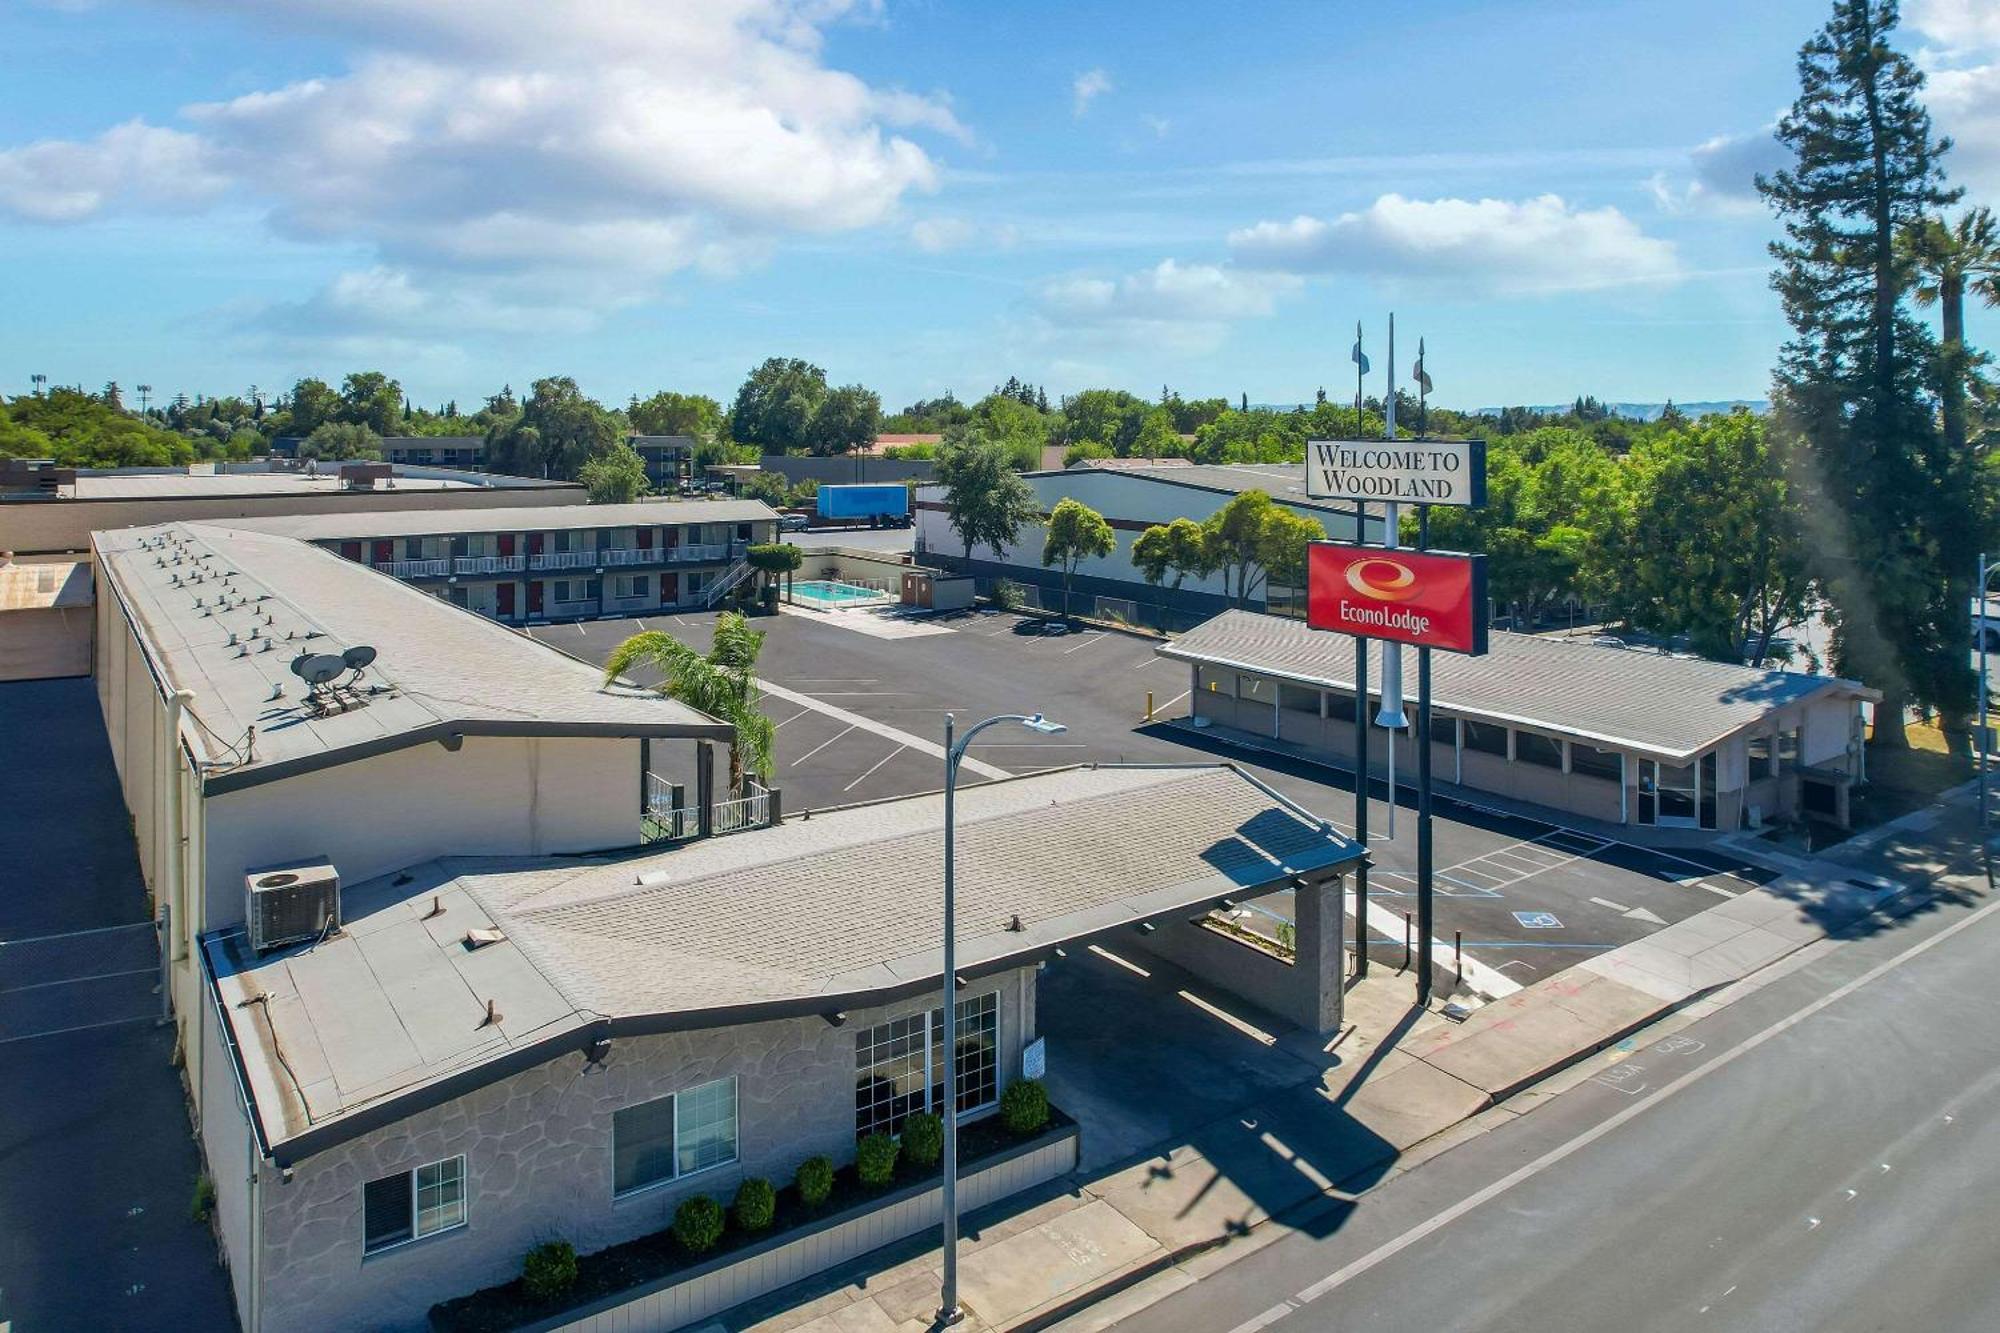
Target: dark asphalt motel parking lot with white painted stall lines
x,y
861,718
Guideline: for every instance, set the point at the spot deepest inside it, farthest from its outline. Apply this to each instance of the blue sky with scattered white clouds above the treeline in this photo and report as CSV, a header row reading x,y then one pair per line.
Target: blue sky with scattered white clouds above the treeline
x,y
919,195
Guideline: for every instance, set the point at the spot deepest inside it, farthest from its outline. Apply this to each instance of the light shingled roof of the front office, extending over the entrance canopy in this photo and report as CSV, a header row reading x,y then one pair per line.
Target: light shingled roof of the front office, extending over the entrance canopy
x,y
813,918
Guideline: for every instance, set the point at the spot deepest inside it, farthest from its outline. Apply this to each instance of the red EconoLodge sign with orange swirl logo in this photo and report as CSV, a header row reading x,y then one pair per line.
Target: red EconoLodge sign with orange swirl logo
x,y
1417,597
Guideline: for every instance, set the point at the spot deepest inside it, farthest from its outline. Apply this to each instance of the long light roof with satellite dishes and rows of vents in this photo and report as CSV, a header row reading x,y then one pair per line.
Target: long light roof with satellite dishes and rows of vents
x,y
445,670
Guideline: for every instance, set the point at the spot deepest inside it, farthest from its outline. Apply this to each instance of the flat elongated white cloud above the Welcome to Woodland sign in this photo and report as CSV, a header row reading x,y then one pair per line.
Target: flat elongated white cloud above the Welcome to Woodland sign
x,y
1537,245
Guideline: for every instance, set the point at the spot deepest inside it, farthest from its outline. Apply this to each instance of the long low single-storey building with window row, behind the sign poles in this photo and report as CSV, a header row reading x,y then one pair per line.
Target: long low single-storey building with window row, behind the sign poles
x,y
1619,738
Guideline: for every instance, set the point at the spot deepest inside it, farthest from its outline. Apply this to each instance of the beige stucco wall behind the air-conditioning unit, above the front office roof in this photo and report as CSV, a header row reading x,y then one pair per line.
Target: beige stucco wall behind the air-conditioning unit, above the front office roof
x,y
495,798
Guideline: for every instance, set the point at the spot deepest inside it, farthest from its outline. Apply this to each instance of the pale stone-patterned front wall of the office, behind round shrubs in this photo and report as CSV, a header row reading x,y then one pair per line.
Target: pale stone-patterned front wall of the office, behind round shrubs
x,y
539,1162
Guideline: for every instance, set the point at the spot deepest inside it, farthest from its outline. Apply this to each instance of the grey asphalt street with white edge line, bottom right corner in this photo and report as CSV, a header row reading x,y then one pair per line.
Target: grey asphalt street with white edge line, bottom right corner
x,y
1817,1156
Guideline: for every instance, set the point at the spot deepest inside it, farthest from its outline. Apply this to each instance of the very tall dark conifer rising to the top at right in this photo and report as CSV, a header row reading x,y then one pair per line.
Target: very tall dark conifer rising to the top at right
x,y
1893,511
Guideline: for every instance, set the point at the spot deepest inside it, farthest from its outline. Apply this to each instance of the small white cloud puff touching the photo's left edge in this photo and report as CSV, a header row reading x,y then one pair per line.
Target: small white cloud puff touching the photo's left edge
x,y
133,163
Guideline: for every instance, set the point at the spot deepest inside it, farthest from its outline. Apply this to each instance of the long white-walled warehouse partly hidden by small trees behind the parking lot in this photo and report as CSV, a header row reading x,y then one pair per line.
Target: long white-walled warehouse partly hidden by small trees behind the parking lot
x,y
1133,495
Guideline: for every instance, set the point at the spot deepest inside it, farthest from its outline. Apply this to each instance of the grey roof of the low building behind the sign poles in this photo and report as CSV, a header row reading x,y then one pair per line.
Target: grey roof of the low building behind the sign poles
x,y
1667,708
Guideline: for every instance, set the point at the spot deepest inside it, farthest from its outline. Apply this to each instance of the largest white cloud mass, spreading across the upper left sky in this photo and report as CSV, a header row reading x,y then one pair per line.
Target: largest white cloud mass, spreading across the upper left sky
x,y
525,139
